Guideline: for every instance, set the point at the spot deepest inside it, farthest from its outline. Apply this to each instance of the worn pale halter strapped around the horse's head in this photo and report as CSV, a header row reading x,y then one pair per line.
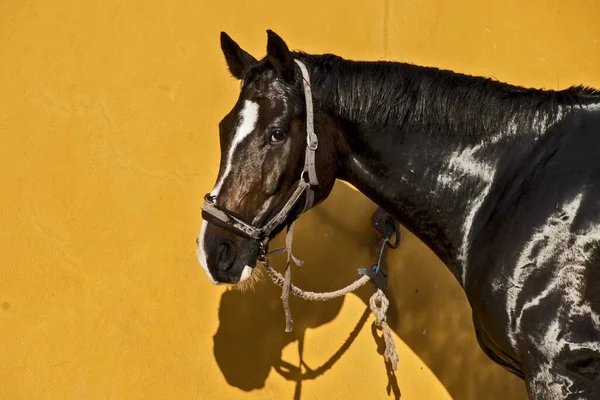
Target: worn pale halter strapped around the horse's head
x,y
308,179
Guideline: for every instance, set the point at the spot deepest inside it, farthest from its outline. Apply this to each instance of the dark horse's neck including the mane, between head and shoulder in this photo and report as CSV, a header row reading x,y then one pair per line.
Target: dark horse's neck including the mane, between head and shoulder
x,y
425,144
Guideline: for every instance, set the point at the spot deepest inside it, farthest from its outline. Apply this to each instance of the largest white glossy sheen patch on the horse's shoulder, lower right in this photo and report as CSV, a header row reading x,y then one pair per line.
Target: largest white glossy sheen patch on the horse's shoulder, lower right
x,y
565,257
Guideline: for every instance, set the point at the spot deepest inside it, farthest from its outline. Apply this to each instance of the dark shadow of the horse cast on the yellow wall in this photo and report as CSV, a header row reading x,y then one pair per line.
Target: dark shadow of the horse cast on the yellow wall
x,y
428,309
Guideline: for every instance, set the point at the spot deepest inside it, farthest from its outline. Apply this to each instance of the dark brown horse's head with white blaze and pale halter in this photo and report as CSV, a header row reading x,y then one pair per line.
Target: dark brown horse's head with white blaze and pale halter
x,y
269,162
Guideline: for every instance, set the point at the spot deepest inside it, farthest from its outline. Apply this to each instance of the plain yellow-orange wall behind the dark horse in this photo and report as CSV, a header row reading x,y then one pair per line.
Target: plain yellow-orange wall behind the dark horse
x,y
108,140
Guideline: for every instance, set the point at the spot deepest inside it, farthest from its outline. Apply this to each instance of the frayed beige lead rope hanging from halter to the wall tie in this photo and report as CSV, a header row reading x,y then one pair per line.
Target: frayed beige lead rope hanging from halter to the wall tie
x,y
378,302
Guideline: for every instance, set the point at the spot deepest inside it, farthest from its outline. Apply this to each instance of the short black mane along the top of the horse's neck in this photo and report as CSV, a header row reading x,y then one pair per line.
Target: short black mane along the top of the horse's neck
x,y
394,93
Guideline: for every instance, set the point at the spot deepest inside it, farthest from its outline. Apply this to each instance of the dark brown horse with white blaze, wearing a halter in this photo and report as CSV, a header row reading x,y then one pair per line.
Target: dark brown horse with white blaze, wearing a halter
x,y
501,182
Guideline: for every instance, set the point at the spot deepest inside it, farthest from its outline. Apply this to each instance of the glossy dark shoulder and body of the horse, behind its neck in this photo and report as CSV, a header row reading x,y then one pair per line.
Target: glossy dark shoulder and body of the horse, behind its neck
x,y
533,268
